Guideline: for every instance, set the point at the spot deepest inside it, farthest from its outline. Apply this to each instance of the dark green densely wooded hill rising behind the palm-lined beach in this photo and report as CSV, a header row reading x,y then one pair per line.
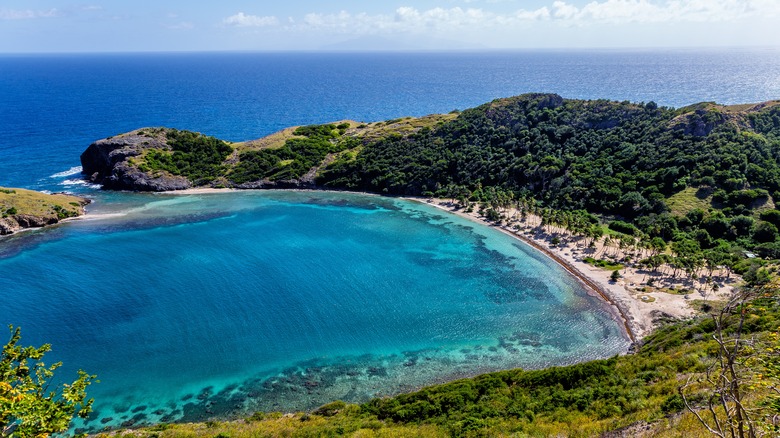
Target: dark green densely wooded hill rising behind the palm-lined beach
x,y
612,157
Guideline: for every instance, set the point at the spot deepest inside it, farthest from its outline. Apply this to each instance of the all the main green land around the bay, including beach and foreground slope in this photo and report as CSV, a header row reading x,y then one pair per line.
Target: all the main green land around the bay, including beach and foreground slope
x,y
648,202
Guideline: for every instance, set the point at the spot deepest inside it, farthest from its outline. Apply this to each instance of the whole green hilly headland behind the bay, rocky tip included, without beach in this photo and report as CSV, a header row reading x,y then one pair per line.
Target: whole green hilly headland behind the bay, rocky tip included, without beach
x,y
708,170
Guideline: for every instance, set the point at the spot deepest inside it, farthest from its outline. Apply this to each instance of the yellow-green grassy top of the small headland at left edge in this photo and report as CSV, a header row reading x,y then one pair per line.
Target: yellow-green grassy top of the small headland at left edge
x,y
28,202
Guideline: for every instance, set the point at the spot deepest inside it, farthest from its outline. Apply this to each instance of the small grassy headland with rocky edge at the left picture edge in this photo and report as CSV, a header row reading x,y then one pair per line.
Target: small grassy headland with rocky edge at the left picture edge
x,y
21,209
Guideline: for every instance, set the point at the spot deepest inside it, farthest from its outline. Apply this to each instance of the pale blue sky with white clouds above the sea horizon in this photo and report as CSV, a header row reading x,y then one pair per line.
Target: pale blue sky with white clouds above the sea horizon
x,y
31,26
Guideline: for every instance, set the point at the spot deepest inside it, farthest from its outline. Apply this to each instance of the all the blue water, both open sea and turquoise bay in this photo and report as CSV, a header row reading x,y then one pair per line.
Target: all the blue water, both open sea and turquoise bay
x,y
189,306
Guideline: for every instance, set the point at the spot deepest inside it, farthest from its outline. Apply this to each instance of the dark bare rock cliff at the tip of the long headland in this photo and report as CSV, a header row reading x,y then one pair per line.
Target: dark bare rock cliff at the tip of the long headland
x,y
109,162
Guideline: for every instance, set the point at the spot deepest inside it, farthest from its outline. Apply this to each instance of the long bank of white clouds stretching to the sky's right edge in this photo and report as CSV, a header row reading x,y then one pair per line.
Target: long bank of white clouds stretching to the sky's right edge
x,y
411,19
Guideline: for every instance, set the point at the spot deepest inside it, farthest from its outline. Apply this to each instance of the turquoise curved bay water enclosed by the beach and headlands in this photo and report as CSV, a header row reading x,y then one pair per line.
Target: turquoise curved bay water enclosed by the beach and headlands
x,y
213,305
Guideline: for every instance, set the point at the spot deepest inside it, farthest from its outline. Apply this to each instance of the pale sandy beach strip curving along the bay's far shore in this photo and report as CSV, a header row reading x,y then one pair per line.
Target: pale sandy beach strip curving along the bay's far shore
x,y
638,312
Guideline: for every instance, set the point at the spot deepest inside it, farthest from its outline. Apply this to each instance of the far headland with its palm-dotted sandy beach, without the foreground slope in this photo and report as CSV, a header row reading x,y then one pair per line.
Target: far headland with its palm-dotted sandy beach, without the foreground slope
x,y
635,187
